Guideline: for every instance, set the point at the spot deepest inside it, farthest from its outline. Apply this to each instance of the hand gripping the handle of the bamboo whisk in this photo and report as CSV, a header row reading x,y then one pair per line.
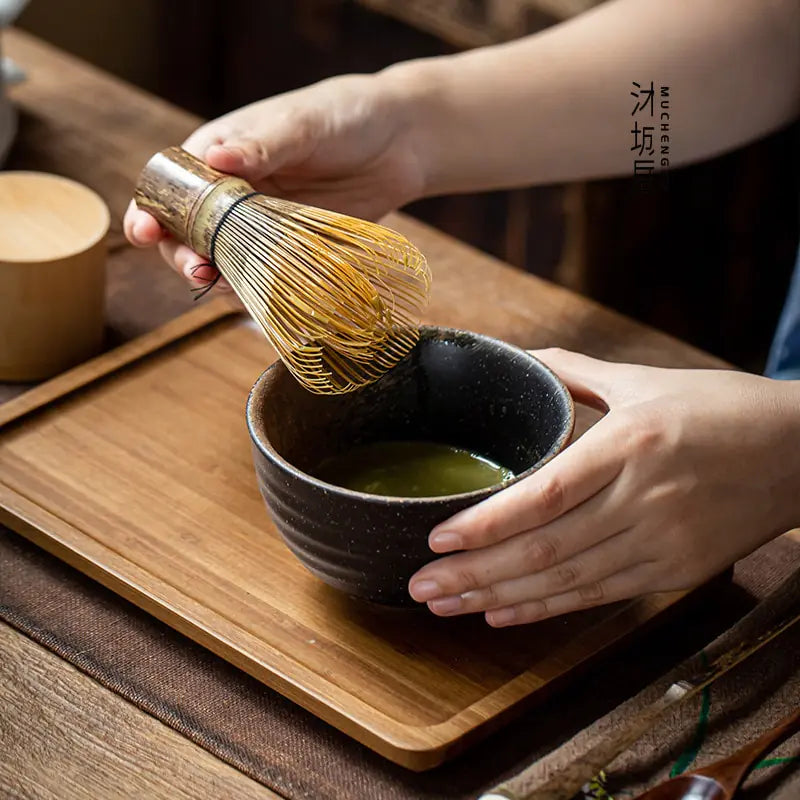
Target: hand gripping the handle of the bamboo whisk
x,y
345,144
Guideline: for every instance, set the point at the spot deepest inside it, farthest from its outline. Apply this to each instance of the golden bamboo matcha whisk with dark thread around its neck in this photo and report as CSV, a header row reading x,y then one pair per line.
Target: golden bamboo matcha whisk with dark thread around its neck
x,y
337,297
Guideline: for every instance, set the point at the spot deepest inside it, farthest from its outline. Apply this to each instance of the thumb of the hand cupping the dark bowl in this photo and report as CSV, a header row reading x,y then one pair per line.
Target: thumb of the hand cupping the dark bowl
x,y
595,383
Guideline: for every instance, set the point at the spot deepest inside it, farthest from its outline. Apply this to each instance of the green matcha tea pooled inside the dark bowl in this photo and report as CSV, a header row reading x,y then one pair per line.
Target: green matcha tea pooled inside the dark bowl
x,y
411,469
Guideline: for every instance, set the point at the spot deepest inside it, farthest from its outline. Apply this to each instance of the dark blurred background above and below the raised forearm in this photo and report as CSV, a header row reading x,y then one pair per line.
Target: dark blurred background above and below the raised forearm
x,y
708,260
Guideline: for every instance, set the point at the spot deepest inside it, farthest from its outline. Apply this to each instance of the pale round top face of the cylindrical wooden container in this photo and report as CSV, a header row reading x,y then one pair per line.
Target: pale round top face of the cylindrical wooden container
x,y
47,217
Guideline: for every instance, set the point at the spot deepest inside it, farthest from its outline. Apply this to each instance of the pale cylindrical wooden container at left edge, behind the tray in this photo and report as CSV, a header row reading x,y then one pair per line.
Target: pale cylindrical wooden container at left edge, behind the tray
x,y
52,270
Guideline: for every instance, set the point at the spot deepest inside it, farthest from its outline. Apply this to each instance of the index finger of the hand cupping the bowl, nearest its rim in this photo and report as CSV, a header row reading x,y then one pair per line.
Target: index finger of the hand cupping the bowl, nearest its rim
x,y
572,477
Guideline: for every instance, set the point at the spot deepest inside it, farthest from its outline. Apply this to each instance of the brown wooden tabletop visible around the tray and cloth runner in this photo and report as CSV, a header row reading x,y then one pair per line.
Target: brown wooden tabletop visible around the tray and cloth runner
x,y
62,734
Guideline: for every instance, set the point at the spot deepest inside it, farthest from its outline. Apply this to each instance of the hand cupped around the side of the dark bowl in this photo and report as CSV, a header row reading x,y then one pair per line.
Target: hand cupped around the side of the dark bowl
x,y
687,472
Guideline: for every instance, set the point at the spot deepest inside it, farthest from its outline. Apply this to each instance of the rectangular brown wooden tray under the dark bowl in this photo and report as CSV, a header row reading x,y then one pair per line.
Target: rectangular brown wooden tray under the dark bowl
x,y
136,469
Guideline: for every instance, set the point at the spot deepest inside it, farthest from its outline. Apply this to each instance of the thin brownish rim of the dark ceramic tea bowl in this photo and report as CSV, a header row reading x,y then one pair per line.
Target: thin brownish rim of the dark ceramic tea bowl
x,y
266,448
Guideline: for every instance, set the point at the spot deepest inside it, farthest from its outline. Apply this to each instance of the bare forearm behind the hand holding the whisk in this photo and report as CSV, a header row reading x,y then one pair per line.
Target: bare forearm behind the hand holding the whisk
x,y
556,106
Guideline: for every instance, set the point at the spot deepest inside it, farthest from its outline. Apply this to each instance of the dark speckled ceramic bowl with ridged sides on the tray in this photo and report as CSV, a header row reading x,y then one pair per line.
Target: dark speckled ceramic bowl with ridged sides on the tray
x,y
455,387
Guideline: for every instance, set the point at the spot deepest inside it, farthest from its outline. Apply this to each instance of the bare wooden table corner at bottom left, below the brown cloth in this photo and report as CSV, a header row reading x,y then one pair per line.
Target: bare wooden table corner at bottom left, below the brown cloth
x,y
62,735
